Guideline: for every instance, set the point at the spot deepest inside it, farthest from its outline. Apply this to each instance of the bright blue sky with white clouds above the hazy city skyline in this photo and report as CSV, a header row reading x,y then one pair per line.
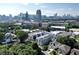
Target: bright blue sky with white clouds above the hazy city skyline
x,y
48,9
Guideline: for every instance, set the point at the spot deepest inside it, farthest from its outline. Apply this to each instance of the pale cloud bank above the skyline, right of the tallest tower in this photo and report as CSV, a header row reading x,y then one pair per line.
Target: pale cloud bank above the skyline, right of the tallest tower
x,y
61,11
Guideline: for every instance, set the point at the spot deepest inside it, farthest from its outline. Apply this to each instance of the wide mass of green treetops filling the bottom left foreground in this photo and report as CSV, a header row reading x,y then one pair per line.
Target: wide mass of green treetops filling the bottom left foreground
x,y
29,48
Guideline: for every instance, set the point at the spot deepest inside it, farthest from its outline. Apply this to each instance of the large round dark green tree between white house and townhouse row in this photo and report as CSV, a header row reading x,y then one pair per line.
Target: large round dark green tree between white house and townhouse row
x,y
22,36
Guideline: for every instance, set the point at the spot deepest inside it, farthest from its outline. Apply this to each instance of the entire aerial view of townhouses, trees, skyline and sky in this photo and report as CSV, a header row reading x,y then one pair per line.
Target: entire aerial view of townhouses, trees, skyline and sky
x,y
39,29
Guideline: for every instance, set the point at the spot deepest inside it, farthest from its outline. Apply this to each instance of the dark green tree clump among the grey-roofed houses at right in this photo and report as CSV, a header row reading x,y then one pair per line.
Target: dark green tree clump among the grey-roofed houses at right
x,y
73,42
